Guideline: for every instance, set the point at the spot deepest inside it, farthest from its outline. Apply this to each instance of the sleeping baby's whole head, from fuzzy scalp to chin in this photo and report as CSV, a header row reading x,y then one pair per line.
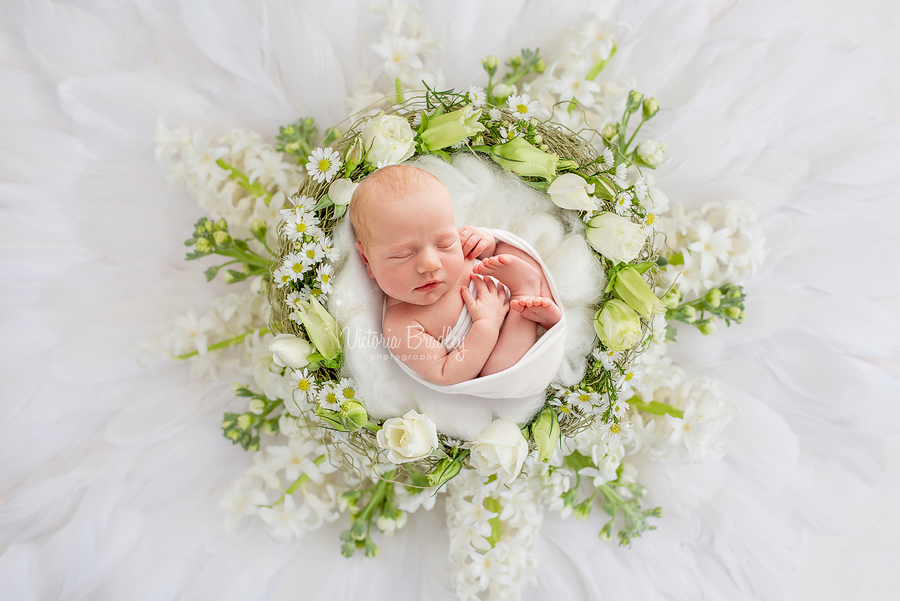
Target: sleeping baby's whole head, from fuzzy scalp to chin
x,y
406,234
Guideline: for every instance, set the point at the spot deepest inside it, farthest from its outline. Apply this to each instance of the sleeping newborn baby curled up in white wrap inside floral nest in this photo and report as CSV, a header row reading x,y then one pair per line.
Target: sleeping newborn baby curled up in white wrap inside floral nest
x,y
430,271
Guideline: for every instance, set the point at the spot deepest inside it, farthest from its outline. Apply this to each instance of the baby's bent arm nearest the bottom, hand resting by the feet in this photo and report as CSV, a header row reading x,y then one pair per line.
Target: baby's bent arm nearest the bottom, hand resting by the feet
x,y
425,354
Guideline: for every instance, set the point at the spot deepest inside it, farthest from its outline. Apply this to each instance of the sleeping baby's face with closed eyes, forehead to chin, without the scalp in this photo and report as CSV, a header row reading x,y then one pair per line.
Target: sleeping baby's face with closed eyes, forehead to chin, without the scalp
x,y
414,252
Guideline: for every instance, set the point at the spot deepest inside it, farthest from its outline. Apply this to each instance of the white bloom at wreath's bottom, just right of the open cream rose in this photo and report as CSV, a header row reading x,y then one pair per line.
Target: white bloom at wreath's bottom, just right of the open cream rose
x,y
500,449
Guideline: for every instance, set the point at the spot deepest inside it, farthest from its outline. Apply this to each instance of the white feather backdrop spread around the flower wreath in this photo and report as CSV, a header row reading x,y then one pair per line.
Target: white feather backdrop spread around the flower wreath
x,y
111,471
